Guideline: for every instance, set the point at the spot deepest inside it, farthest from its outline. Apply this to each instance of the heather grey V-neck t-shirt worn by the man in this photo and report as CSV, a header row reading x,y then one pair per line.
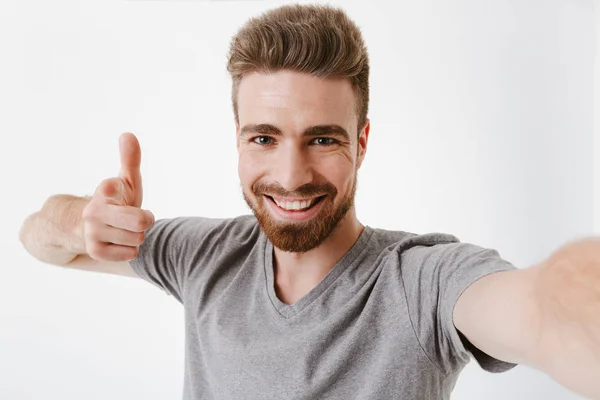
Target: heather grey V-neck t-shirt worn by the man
x,y
378,326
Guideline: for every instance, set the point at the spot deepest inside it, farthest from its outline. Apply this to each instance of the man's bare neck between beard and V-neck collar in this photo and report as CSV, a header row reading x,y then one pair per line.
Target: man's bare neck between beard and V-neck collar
x,y
297,273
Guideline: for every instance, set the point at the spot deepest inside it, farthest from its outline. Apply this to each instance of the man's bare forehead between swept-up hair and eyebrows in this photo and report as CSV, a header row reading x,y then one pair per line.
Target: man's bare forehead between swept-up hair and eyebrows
x,y
292,96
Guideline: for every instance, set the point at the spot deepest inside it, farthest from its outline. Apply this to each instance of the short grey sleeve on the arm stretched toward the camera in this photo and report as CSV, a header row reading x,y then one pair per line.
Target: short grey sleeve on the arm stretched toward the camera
x,y
434,277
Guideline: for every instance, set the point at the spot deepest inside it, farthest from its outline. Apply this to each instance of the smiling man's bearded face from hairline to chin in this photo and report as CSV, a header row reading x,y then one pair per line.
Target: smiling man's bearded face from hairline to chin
x,y
298,155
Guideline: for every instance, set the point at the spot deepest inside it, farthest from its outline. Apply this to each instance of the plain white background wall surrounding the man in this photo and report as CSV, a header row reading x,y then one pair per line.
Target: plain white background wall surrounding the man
x,y
482,126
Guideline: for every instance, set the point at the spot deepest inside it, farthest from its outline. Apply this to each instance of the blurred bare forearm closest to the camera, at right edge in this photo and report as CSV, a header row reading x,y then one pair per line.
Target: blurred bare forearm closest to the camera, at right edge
x,y
568,295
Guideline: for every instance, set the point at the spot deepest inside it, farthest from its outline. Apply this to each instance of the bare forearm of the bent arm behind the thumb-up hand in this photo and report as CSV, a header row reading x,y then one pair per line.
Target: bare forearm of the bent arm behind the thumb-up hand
x,y
54,235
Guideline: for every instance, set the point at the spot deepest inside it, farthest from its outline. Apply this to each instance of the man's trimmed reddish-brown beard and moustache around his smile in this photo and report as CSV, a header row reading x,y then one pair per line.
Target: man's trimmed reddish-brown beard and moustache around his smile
x,y
300,237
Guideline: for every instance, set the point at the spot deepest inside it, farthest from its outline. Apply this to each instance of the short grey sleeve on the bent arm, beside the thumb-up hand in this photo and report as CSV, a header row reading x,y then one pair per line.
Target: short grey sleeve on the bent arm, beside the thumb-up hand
x,y
164,256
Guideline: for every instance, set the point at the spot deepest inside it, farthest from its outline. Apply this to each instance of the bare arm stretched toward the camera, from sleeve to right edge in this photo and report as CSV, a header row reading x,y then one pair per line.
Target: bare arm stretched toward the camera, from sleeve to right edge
x,y
546,316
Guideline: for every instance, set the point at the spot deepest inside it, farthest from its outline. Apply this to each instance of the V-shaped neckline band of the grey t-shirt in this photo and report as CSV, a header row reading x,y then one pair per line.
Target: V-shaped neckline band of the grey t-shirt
x,y
289,310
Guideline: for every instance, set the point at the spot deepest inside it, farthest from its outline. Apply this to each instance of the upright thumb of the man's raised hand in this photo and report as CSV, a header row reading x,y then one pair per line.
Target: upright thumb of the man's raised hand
x,y
131,158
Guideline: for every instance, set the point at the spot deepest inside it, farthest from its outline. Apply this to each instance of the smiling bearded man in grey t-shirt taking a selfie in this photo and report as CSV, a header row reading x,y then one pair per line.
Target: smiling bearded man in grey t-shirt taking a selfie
x,y
300,300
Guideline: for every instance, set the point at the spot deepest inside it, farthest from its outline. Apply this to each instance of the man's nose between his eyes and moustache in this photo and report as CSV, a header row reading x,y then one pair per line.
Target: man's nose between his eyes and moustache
x,y
293,168
